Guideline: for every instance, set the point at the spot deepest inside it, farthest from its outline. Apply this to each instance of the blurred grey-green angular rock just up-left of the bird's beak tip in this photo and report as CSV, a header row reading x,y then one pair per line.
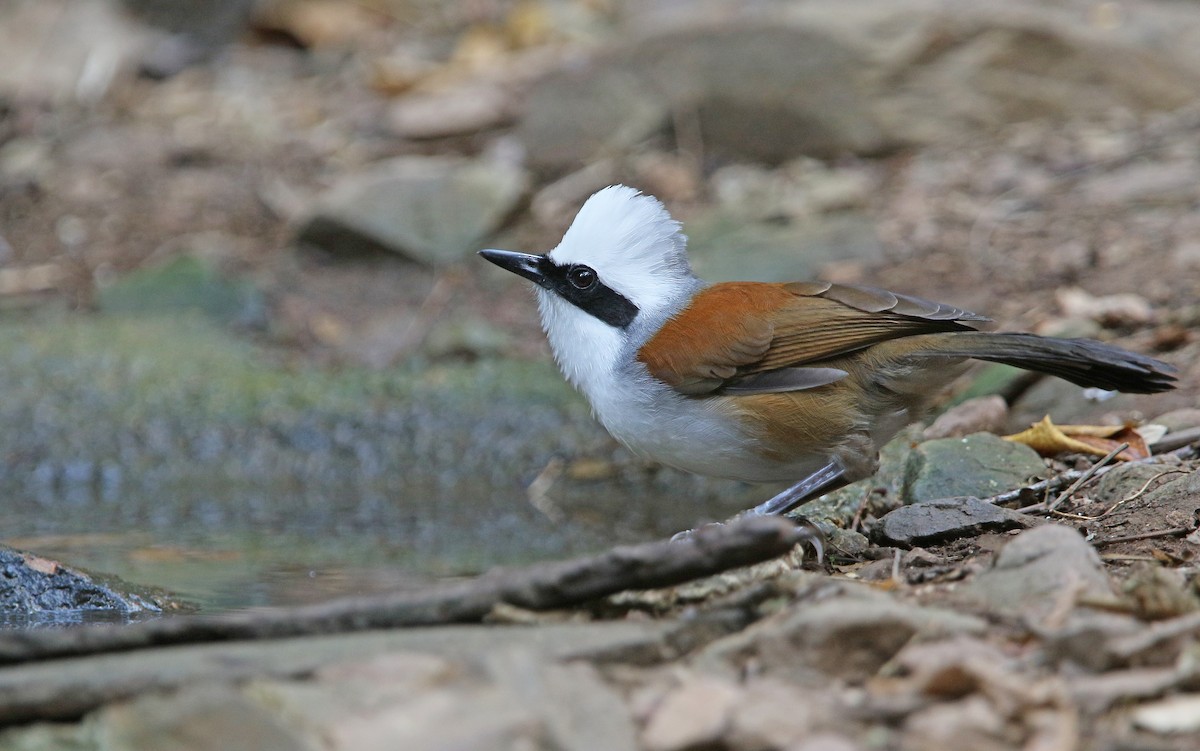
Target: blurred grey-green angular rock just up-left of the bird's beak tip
x,y
435,211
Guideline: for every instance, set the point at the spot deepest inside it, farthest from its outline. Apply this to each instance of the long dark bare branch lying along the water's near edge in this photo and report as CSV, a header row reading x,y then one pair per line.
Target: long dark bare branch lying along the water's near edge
x,y
542,587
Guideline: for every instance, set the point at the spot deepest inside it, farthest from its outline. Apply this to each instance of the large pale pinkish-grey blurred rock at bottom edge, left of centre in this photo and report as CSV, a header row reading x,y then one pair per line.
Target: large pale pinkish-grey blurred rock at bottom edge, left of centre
x,y
501,700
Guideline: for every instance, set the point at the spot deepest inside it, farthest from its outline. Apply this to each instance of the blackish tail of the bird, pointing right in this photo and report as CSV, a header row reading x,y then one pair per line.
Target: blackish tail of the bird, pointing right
x,y
1084,363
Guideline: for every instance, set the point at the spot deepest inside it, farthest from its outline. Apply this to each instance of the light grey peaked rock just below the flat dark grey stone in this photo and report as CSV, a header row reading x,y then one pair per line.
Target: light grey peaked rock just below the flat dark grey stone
x,y
1041,573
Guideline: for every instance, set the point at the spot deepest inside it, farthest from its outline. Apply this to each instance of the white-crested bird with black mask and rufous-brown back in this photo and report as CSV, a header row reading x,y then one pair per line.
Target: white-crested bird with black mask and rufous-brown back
x,y
801,382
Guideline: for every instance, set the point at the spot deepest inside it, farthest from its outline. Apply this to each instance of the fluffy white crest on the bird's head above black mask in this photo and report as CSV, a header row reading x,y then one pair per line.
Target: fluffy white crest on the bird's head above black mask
x,y
633,244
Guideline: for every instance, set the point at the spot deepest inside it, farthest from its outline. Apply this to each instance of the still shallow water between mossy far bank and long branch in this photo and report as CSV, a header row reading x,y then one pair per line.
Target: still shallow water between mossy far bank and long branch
x,y
239,548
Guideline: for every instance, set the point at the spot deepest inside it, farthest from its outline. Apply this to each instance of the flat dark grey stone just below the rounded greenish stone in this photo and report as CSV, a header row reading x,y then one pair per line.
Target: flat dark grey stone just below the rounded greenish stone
x,y
932,522
